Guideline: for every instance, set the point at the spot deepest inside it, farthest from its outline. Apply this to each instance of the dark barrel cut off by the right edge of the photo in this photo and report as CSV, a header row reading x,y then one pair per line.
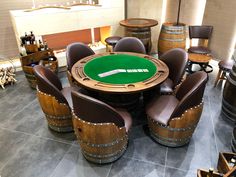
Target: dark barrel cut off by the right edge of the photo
x,y
229,95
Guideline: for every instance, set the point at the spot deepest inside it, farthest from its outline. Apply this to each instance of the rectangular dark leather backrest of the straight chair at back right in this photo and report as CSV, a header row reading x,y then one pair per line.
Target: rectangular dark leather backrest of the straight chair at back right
x,y
201,32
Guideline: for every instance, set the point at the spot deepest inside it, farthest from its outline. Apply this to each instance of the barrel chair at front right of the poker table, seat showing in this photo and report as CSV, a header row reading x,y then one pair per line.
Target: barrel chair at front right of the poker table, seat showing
x,y
173,119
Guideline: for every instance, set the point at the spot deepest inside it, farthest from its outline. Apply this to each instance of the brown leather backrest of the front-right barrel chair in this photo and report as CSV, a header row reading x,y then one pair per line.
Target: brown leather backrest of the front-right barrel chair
x,y
190,92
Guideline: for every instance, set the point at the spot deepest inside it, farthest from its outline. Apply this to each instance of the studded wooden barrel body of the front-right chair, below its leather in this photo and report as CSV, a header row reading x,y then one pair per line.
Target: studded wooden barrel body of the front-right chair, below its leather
x,y
179,130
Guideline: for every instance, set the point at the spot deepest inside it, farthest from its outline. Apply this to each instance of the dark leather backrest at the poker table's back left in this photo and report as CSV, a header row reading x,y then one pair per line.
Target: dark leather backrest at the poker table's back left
x,y
75,52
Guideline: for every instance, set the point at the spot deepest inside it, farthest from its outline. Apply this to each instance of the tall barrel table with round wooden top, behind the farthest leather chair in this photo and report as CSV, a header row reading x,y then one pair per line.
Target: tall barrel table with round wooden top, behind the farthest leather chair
x,y
140,28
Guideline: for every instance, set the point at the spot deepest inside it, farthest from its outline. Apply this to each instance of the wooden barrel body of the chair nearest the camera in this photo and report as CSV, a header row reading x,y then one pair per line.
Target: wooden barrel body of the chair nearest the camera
x,y
100,142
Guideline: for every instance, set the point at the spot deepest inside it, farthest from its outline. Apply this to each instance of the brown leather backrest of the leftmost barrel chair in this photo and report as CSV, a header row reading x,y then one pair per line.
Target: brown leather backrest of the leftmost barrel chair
x,y
48,82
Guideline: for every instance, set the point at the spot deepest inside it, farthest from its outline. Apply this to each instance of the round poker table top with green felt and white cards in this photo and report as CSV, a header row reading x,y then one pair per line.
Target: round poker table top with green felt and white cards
x,y
119,72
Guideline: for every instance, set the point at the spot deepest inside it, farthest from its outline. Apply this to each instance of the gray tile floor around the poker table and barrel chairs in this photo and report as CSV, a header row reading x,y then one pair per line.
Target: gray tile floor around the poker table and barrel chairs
x,y
28,148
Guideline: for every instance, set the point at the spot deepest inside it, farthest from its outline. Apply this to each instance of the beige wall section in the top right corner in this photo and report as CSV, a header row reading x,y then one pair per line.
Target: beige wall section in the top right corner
x,y
222,16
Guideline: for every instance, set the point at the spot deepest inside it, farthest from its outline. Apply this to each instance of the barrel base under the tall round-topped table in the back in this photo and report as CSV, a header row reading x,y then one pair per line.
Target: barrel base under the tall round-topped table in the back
x,y
144,34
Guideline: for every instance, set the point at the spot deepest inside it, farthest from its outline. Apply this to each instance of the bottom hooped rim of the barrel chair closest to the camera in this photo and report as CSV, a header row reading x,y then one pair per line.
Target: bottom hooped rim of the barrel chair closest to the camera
x,y
105,159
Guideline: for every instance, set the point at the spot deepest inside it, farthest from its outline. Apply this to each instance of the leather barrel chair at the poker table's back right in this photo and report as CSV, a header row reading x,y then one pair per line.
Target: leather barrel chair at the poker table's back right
x,y
176,60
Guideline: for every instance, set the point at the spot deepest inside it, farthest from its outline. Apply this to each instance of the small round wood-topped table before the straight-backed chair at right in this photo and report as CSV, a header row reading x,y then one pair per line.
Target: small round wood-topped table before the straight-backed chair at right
x,y
201,60
